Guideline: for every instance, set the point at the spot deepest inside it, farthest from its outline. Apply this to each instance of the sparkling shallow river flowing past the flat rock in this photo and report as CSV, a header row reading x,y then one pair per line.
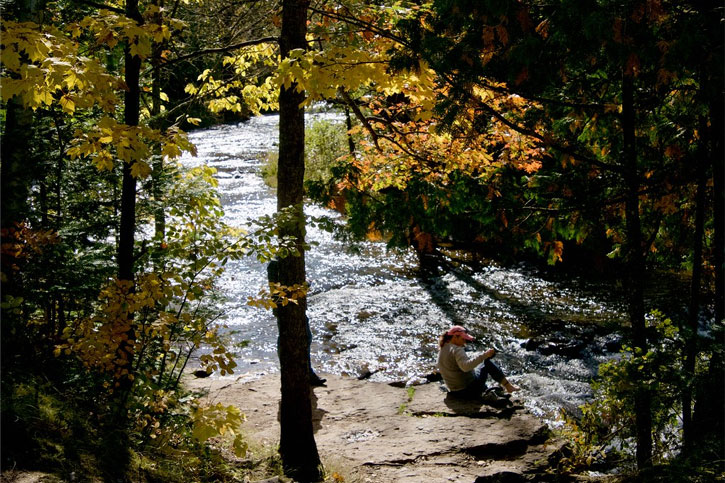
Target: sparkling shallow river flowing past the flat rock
x,y
373,313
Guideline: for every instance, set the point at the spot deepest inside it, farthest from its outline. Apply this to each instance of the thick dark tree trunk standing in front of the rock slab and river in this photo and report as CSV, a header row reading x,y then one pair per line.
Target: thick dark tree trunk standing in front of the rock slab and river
x,y
297,443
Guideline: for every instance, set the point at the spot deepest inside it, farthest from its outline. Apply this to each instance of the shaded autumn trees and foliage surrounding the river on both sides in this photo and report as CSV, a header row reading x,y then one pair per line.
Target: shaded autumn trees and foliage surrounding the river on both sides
x,y
576,133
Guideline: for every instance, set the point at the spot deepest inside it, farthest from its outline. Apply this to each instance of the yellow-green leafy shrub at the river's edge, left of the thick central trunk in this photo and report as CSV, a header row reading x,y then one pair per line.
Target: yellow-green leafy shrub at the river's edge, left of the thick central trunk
x,y
168,309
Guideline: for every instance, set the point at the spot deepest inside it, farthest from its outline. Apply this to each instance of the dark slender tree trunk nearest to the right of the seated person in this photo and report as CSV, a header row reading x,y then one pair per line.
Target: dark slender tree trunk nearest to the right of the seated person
x,y
635,270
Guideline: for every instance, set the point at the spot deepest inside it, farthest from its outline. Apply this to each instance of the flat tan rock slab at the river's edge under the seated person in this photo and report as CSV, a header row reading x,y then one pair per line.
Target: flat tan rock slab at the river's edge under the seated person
x,y
382,433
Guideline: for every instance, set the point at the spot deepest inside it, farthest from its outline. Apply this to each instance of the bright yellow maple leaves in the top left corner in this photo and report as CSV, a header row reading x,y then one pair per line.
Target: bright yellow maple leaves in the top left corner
x,y
43,66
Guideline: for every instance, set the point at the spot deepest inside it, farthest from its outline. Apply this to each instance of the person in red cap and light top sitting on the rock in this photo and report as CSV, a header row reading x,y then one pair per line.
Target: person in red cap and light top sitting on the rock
x,y
464,375
